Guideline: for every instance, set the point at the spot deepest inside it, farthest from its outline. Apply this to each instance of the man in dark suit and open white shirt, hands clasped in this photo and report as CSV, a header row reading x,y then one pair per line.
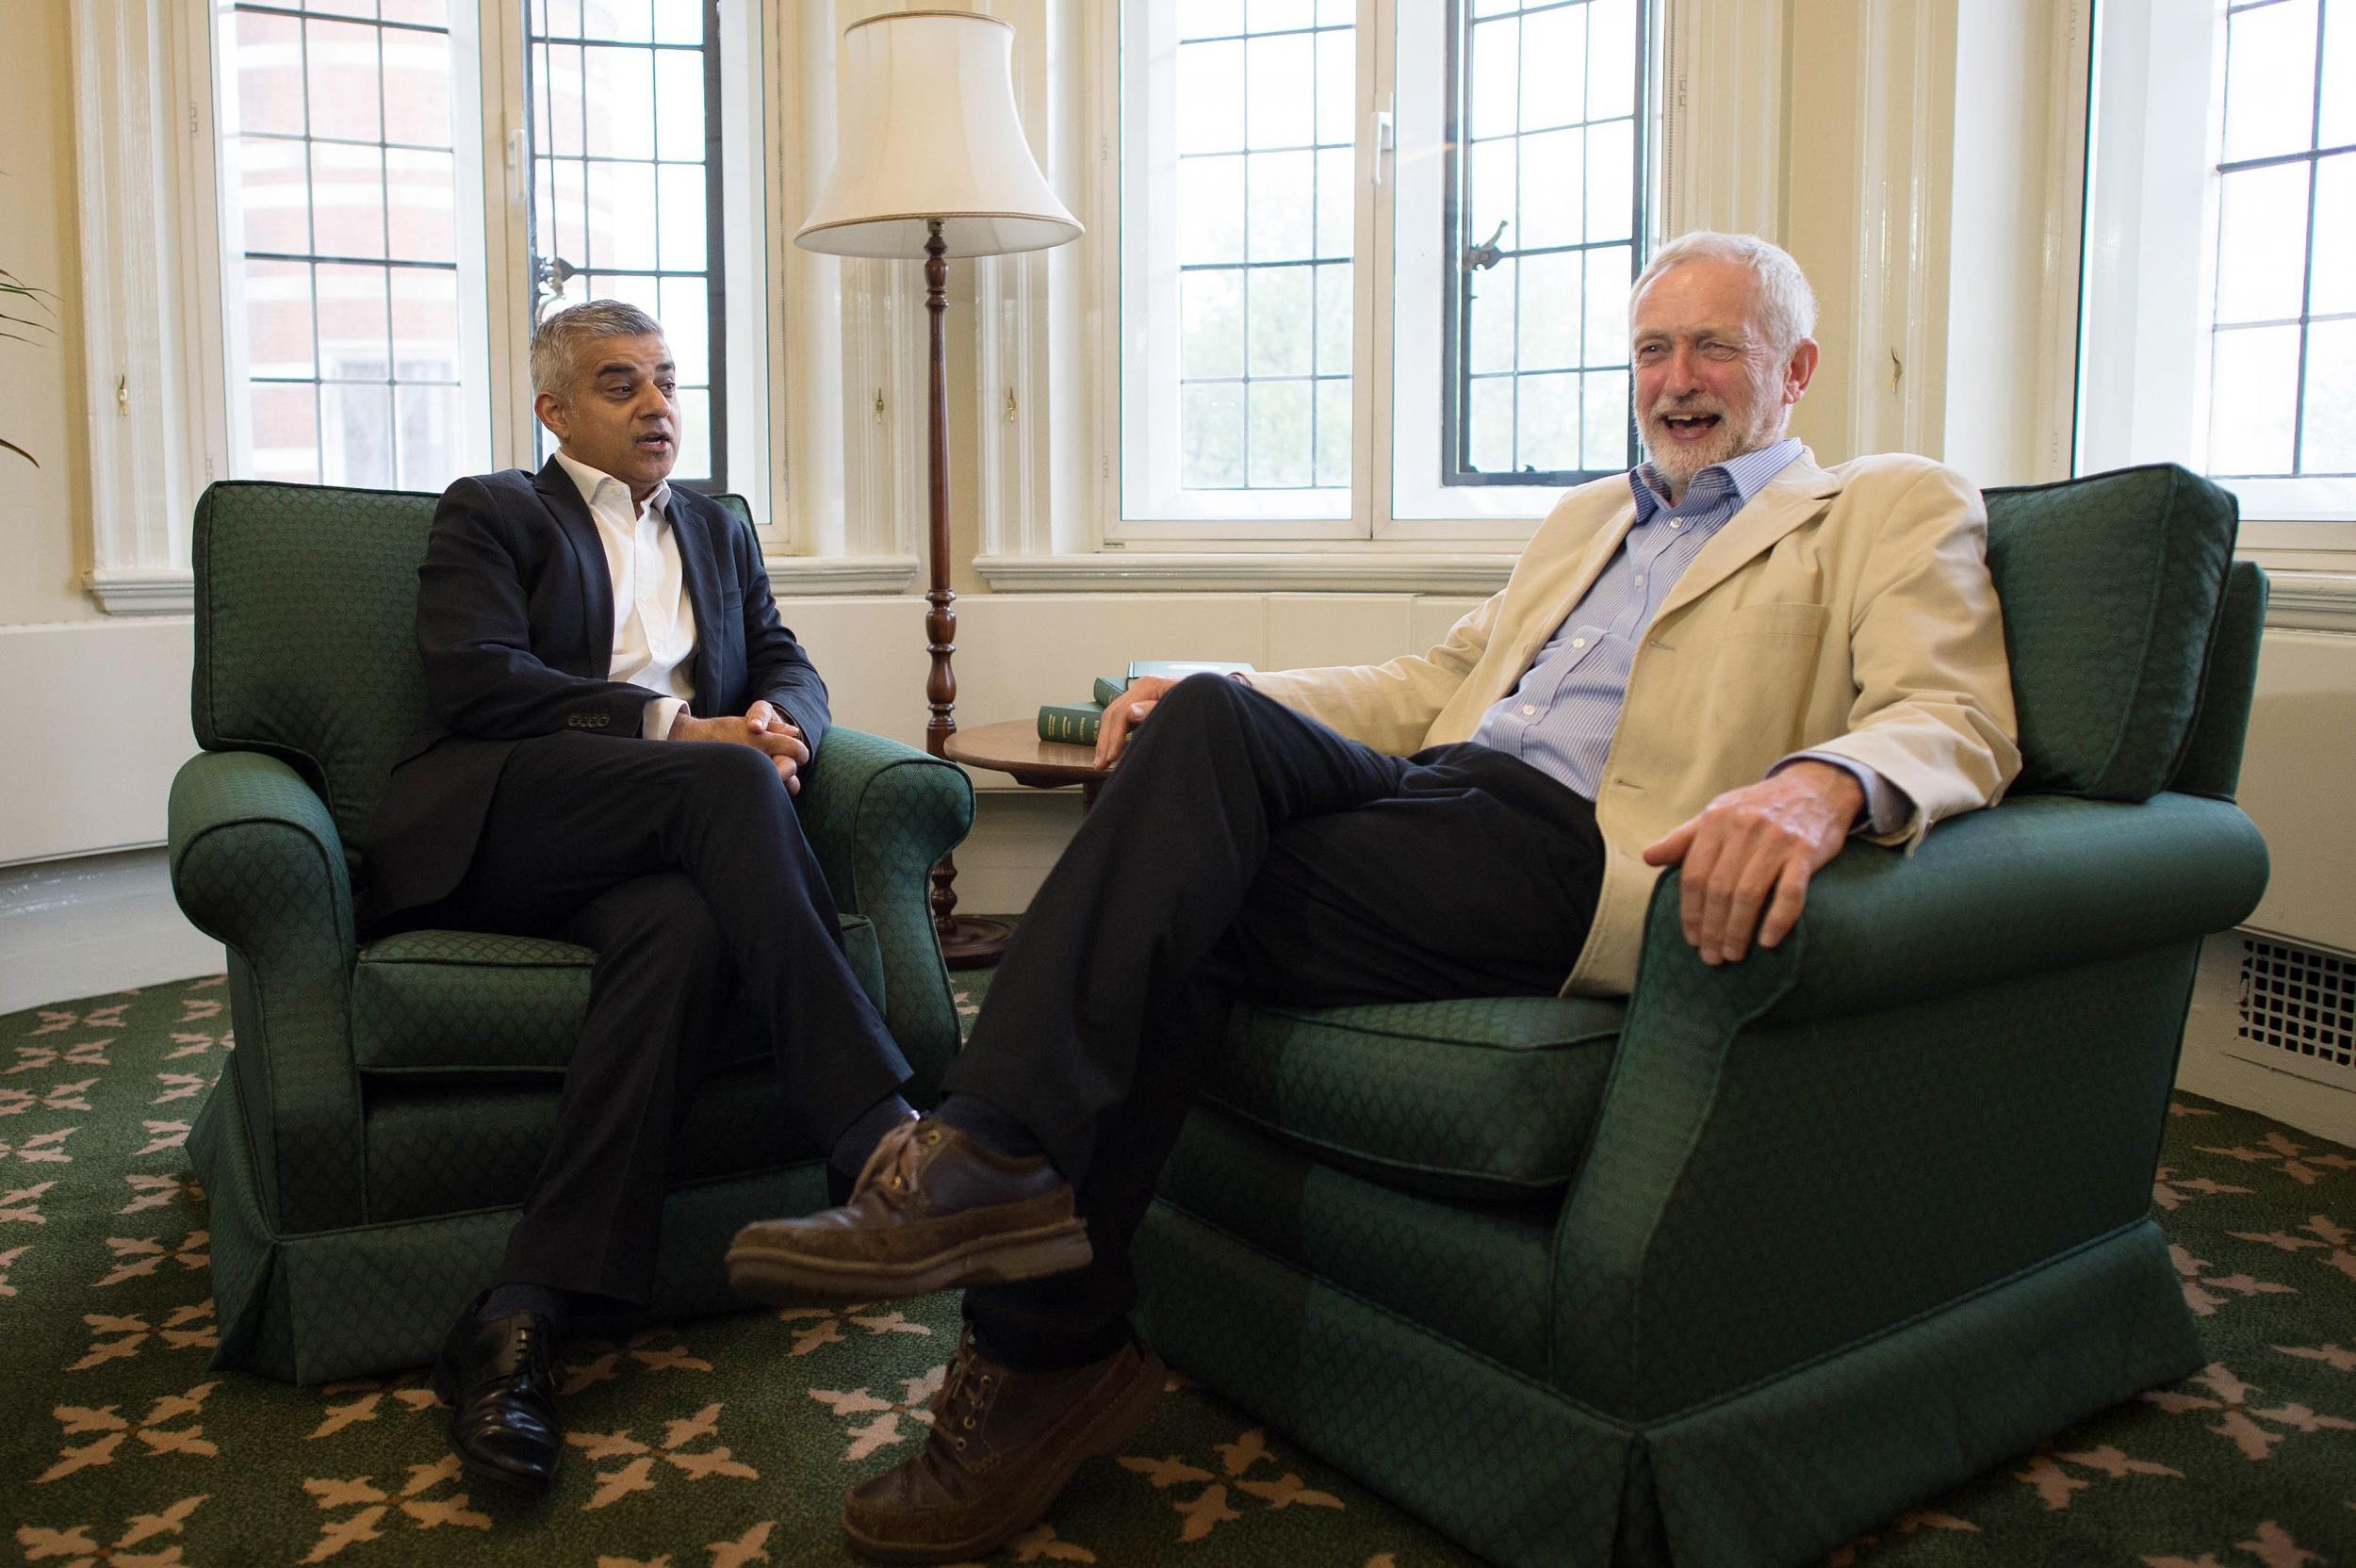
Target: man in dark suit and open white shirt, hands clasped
x,y
618,731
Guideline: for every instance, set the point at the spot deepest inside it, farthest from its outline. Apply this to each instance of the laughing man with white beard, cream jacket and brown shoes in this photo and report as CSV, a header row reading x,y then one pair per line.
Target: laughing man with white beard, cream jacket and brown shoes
x,y
1728,660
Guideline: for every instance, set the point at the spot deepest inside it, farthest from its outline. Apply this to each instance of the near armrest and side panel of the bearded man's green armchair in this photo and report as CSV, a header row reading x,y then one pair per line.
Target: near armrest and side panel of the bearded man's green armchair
x,y
1719,1237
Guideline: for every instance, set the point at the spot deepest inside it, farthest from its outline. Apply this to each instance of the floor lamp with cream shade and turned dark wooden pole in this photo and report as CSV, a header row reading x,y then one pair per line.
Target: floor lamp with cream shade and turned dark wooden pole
x,y
932,164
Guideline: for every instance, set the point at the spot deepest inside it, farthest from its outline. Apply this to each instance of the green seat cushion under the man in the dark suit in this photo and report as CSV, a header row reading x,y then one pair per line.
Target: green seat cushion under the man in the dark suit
x,y
465,1002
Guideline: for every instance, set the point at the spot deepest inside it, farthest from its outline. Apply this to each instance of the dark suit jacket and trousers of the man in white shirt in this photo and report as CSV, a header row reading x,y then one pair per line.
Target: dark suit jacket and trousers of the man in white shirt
x,y
529,804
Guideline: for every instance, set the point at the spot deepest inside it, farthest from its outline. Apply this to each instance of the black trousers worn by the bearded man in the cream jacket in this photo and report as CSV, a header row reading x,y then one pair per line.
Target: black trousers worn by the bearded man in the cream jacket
x,y
1248,851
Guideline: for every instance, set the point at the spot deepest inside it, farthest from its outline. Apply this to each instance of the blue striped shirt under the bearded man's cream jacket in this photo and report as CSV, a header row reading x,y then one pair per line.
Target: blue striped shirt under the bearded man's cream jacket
x,y
1568,705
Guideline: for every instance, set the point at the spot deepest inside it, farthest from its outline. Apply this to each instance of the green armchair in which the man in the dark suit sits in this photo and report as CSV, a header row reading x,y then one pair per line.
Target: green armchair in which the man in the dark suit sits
x,y
390,1101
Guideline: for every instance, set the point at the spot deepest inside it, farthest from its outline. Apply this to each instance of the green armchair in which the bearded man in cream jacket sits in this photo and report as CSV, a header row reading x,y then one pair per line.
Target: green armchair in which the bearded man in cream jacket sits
x,y
1745,1265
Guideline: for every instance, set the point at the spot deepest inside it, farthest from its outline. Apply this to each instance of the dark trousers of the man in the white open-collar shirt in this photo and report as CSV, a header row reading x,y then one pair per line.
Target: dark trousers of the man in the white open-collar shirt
x,y
687,870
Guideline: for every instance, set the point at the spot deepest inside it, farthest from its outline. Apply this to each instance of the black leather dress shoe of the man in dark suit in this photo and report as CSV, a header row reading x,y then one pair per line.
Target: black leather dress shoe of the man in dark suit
x,y
501,1386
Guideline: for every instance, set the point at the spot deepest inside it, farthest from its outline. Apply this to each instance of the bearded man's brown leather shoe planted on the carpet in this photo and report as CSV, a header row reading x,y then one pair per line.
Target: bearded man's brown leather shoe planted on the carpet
x,y
1002,1447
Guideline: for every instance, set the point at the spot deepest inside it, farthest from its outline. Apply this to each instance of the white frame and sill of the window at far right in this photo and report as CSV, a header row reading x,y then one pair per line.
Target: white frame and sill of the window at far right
x,y
2152,265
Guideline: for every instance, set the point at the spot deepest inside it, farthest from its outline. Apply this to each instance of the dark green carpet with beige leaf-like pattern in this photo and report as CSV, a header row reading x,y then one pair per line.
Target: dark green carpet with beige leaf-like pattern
x,y
724,1444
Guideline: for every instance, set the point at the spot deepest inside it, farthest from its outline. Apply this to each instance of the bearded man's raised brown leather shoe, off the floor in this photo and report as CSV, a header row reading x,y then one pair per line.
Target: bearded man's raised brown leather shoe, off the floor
x,y
932,1209
